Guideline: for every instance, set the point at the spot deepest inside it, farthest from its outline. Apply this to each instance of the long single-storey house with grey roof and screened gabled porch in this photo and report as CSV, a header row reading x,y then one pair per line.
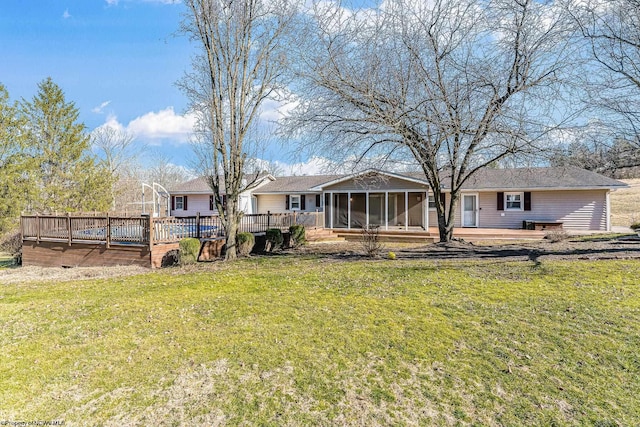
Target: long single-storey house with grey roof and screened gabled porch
x,y
566,197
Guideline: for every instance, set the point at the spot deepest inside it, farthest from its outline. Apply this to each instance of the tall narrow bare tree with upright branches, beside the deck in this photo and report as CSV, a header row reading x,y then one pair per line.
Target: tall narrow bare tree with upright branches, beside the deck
x,y
239,66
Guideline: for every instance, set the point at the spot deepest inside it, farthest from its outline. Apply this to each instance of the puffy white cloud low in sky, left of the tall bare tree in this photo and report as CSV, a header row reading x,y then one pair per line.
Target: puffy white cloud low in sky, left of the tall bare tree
x,y
154,126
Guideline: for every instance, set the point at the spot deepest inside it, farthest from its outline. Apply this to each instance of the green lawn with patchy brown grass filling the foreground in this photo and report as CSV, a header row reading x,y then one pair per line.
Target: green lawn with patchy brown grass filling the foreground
x,y
290,341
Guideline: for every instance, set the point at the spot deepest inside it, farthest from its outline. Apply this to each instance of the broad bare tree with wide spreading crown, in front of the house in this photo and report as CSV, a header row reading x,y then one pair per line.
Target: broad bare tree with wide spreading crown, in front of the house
x,y
457,84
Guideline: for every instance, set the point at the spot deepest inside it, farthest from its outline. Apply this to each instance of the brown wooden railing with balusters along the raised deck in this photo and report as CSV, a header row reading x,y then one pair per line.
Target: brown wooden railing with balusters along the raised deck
x,y
145,230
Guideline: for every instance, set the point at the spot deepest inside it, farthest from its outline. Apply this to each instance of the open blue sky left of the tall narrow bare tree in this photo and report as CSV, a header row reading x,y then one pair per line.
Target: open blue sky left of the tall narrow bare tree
x,y
118,60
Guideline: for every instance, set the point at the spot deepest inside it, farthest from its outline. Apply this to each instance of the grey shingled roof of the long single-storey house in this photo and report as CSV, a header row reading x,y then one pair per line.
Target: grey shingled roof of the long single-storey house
x,y
553,178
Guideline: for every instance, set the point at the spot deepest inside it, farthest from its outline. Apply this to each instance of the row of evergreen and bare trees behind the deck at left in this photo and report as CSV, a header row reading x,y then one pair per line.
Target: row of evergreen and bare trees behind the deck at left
x,y
50,163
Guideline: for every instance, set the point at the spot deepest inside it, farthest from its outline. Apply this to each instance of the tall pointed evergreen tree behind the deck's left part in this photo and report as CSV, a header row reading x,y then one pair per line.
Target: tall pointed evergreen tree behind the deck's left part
x,y
67,176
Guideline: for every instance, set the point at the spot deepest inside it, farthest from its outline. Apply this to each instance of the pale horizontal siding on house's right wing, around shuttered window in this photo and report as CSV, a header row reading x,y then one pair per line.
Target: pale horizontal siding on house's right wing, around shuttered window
x,y
578,210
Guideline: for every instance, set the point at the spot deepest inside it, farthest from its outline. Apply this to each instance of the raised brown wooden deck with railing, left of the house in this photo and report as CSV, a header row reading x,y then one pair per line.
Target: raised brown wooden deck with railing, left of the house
x,y
104,240
